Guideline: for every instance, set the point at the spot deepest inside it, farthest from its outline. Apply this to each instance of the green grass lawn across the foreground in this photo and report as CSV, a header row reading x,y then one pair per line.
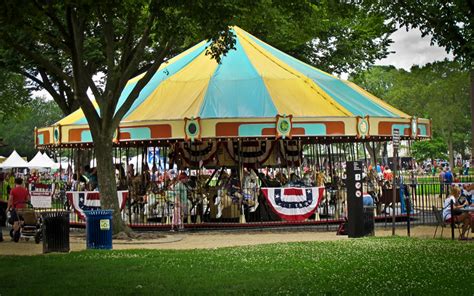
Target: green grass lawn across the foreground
x,y
374,266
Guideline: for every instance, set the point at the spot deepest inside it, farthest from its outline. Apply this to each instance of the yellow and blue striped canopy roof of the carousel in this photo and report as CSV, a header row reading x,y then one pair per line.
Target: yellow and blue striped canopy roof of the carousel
x,y
254,80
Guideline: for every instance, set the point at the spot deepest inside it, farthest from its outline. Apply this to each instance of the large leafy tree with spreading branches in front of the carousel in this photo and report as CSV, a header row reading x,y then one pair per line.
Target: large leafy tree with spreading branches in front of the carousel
x,y
68,43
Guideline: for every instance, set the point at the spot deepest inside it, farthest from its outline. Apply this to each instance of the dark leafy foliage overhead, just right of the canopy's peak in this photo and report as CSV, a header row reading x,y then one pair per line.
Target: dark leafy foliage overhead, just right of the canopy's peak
x,y
335,36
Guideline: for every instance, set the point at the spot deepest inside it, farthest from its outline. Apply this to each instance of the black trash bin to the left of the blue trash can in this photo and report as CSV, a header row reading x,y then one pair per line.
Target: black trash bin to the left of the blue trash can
x,y
55,231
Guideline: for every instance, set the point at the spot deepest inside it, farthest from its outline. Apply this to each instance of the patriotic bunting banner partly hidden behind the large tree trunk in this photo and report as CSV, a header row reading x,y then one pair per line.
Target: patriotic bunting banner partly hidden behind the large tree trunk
x,y
90,200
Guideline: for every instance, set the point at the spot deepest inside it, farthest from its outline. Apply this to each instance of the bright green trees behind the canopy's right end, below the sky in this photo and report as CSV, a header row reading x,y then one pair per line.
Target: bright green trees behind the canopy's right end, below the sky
x,y
439,91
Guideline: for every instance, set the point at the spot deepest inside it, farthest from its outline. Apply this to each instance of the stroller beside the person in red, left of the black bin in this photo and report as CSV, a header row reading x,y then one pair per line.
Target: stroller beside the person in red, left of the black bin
x,y
30,224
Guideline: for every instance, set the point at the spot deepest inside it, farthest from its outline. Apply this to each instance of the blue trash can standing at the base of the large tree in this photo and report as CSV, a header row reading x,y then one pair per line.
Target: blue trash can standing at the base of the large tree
x,y
99,229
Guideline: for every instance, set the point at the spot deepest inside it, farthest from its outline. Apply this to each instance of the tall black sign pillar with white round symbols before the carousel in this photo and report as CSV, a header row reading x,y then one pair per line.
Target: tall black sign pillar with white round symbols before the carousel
x,y
355,208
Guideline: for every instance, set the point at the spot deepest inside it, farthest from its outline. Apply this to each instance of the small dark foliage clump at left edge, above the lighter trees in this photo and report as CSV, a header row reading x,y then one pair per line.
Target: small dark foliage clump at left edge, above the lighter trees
x,y
13,95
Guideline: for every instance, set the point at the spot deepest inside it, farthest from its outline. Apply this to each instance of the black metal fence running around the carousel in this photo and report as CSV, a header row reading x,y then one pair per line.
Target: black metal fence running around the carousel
x,y
214,208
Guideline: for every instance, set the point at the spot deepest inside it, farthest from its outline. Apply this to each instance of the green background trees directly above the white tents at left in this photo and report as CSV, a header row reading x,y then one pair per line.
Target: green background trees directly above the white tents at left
x,y
18,132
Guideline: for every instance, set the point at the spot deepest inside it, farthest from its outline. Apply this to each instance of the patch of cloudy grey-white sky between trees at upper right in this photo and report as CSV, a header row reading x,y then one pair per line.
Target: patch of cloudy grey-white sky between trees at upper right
x,y
411,49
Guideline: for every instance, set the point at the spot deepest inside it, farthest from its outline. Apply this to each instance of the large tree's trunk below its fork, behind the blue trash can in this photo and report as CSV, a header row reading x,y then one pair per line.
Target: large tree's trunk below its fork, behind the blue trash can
x,y
106,177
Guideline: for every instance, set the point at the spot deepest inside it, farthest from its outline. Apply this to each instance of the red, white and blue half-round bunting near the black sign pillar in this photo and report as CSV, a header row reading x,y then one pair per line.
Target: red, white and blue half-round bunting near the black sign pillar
x,y
294,204
